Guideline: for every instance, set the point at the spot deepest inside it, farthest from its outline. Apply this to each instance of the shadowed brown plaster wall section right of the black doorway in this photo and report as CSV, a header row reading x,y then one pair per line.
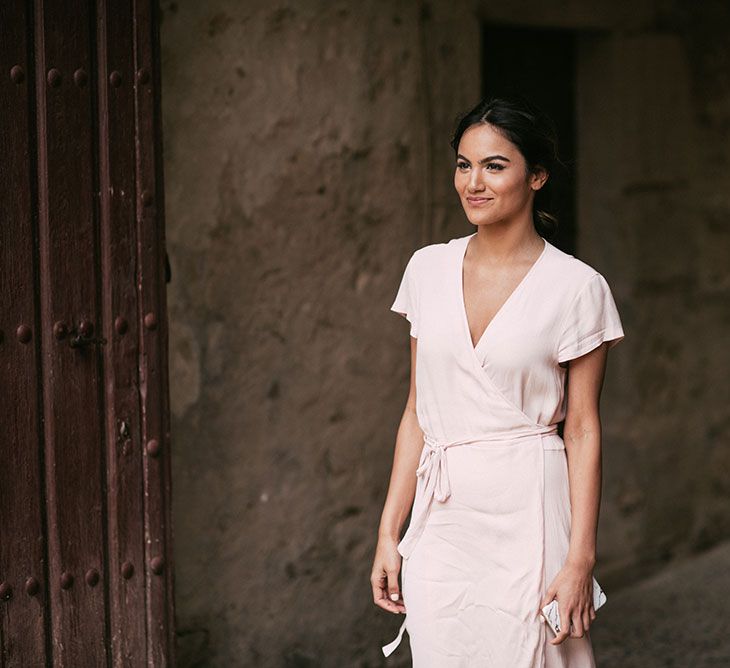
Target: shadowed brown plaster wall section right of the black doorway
x,y
654,216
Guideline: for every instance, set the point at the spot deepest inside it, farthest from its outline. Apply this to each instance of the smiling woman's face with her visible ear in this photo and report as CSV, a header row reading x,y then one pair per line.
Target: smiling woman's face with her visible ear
x,y
491,177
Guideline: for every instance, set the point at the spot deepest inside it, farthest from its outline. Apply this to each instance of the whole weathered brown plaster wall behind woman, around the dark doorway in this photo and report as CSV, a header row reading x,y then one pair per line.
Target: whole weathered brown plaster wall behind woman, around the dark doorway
x,y
306,156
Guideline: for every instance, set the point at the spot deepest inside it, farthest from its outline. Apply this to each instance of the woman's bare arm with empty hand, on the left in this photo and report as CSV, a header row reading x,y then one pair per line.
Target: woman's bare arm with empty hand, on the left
x,y
398,502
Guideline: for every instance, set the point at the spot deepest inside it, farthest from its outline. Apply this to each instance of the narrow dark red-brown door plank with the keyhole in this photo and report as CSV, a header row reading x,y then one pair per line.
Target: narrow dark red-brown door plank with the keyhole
x,y
124,454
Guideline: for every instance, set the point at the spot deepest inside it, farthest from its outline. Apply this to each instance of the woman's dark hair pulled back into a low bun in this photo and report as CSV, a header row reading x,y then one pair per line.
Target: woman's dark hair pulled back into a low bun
x,y
533,133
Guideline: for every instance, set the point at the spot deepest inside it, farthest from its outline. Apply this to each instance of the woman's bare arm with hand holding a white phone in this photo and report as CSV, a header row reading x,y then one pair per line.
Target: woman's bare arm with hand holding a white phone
x,y
573,585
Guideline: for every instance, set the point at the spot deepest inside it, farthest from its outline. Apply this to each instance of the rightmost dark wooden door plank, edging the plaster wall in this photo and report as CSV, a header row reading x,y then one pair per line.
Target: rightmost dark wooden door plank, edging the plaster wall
x,y
153,338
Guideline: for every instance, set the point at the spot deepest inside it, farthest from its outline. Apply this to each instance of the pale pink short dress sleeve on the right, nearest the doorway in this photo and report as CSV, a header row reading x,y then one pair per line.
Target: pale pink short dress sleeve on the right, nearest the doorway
x,y
591,320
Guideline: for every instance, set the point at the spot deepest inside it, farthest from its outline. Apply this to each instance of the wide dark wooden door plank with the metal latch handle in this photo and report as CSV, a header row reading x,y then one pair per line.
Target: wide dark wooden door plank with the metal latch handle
x,y
72,386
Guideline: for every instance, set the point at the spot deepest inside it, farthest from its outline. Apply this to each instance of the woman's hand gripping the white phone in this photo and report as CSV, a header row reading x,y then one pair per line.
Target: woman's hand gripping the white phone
x,y
573,587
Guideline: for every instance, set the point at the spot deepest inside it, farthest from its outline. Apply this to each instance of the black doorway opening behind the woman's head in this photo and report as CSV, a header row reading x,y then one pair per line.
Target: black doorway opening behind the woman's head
x,y
540,64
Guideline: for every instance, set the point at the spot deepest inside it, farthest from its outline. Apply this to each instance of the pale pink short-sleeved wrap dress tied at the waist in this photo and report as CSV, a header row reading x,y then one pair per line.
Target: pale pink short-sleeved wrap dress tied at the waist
x,y
490,523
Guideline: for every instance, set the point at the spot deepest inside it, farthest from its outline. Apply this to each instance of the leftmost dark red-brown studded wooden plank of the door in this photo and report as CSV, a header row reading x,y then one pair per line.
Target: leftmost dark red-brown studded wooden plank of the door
x,y
23,594
